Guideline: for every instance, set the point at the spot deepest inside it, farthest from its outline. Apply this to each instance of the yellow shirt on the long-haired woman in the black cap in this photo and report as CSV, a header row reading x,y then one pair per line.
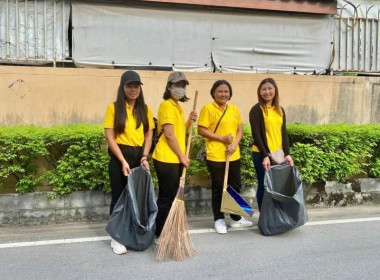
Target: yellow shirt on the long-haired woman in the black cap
x,y
131,136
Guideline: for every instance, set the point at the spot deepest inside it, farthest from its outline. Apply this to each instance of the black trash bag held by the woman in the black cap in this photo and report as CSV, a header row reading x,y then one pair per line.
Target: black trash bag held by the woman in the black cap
x,y
132,222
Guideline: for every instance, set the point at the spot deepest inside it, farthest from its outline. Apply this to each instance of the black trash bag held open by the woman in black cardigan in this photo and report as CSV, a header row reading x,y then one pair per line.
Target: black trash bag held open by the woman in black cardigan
x,y
283,207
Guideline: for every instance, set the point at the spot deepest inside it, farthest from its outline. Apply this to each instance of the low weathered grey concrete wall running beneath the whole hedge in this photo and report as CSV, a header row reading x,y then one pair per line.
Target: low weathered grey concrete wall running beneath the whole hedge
x,y
37,208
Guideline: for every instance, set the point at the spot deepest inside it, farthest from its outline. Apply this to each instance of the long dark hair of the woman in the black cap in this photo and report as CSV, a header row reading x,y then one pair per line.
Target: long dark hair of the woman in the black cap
x,y
140,111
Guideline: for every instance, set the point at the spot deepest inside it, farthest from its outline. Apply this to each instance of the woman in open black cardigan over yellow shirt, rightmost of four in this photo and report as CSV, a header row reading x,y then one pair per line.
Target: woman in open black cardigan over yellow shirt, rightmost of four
x,y
268,125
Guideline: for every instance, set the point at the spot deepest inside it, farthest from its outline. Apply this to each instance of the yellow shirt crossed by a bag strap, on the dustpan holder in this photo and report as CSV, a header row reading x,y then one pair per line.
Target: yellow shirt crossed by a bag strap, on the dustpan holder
x,y
209,117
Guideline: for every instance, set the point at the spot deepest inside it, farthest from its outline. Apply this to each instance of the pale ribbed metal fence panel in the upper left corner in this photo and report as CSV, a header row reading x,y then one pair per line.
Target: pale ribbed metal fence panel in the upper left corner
x,y
34,31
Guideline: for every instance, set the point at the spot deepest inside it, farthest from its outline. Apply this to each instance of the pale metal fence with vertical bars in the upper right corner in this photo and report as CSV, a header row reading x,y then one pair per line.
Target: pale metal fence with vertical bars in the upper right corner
x,y
356,37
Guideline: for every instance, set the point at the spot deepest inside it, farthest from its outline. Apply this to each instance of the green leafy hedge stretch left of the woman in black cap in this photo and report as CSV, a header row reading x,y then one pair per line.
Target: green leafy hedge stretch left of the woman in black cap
x,y
76,155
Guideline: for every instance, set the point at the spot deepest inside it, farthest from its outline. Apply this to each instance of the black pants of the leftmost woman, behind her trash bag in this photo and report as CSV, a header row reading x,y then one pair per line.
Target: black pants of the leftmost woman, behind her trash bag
x,y
118,181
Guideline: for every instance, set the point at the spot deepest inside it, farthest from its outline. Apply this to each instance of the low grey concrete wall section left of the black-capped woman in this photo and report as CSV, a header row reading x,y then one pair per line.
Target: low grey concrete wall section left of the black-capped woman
x,y
37,208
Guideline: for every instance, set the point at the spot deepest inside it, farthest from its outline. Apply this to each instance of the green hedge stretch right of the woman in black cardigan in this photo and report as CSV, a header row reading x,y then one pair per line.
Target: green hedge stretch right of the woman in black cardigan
x,y
334,152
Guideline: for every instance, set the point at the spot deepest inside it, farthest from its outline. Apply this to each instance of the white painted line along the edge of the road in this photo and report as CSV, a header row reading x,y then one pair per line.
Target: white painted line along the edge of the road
x,y
193,231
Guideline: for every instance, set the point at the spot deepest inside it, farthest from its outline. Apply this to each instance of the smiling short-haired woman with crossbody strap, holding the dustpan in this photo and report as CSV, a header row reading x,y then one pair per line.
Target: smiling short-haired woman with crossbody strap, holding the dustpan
x,y
220,123
